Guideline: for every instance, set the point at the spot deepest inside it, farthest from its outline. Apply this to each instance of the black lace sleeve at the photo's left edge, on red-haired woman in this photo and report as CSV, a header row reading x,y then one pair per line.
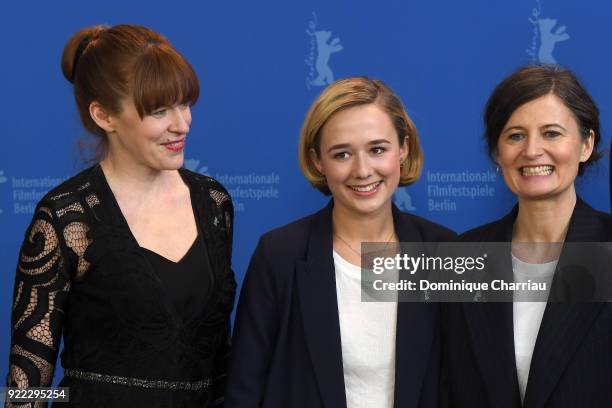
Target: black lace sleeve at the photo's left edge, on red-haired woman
x,y
41,286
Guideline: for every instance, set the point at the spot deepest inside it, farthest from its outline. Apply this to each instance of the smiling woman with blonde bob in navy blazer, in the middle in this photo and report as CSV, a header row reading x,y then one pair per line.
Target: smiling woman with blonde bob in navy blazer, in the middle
x,y
302,336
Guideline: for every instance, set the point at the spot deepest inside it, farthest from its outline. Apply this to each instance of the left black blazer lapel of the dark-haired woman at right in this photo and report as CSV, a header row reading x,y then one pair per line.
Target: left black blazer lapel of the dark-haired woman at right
x,y
492,333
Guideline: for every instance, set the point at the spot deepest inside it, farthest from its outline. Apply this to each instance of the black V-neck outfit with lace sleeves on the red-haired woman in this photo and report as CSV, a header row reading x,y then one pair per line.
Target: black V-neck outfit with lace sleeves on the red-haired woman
x,y
137,331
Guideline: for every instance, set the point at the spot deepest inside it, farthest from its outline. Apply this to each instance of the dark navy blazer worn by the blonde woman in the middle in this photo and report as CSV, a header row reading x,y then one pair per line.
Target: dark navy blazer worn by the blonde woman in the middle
x,y
286,348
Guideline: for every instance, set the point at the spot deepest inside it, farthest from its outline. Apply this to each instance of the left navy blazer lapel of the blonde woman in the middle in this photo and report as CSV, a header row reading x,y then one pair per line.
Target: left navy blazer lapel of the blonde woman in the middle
x,y
316,282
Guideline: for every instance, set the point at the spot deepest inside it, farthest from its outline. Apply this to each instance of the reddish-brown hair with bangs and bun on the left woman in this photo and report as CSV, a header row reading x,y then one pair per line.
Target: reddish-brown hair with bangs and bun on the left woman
x,y
109,64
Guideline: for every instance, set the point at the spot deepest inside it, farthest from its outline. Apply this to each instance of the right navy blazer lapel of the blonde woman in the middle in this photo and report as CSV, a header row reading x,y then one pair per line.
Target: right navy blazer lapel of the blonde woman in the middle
x,y
417,324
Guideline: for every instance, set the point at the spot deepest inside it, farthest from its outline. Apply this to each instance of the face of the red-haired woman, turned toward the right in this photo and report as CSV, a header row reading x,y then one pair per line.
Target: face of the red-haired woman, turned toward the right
x,y
157,140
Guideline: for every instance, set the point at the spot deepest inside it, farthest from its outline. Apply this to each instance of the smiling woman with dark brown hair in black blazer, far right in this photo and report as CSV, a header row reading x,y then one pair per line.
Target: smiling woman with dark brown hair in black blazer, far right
x,y
542,129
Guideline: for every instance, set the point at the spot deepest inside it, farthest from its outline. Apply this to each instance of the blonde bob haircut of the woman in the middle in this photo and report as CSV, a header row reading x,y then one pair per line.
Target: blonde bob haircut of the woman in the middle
x,y
347,93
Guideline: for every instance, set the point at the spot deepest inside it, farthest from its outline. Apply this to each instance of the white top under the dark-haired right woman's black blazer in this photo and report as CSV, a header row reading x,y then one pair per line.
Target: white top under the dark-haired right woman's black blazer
x,y
527,316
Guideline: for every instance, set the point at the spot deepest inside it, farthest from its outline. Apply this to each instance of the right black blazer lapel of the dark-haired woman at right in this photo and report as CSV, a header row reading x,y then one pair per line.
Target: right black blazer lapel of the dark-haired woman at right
x,y
564,325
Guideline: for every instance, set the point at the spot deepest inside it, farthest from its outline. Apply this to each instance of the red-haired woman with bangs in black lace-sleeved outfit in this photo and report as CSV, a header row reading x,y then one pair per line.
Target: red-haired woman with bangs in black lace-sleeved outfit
x,y
129,259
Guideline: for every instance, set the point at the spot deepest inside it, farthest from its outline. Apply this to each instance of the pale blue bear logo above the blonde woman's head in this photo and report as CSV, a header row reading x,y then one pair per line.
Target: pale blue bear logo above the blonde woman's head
x,y
321,49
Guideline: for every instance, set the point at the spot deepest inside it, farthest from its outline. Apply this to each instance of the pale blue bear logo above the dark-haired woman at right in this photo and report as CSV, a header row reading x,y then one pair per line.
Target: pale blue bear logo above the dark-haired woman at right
x,y
545,36
